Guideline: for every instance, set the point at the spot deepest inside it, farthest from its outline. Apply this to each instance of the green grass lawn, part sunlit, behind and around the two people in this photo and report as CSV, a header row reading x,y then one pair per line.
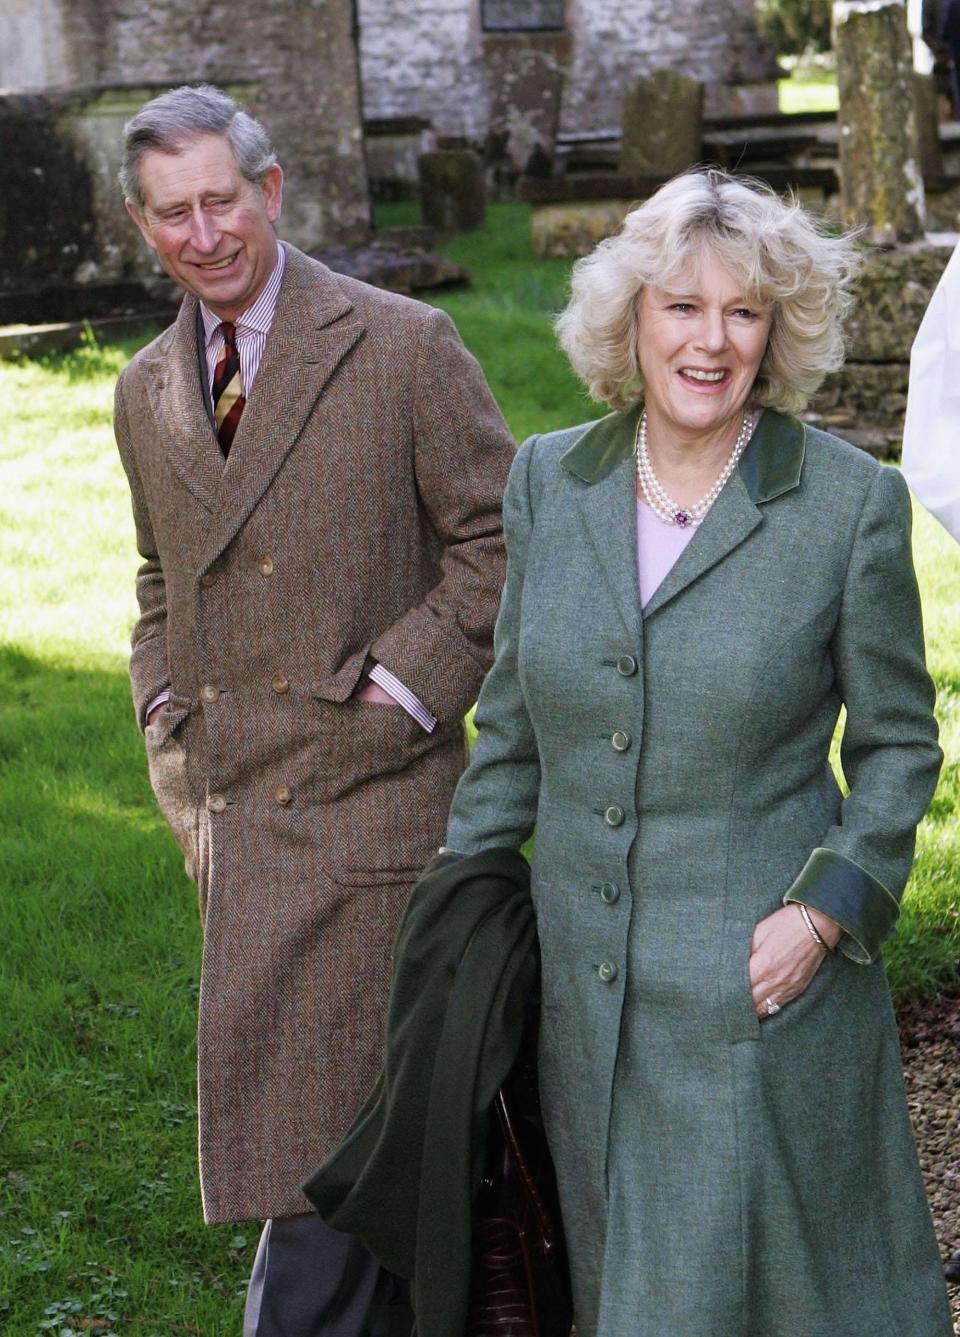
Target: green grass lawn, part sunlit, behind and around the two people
x,y
100,1212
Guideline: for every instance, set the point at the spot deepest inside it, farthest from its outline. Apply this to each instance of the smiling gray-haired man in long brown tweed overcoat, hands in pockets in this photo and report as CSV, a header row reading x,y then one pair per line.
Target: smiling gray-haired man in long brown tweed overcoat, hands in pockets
x,y
316,471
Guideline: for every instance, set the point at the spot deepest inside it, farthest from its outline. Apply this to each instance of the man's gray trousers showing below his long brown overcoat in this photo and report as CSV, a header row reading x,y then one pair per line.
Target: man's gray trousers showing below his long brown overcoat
x,y
312,1282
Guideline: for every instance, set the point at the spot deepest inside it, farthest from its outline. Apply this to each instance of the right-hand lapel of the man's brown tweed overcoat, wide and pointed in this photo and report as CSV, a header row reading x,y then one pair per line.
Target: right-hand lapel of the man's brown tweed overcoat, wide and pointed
x,y
315,328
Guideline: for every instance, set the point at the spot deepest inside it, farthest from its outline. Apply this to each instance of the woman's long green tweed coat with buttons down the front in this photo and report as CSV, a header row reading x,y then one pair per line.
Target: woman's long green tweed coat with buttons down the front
x,y
720,1177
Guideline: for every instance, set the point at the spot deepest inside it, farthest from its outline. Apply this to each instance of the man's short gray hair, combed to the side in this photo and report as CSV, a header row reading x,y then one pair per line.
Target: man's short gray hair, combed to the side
x,y
168,124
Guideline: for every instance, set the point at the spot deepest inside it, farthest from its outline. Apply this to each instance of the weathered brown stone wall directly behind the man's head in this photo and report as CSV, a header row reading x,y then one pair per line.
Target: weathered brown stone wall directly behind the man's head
x,y
295,62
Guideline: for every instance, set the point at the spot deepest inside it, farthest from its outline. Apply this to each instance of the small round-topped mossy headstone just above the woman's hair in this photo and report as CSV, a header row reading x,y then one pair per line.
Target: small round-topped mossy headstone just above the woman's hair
x,y
663,124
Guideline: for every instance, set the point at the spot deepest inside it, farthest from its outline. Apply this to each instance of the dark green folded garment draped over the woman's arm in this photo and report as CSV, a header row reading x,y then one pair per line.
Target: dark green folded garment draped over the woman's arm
x,y
404,1177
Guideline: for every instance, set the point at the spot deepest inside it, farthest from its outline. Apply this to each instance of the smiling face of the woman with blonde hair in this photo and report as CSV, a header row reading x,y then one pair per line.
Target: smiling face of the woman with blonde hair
x,y
700,348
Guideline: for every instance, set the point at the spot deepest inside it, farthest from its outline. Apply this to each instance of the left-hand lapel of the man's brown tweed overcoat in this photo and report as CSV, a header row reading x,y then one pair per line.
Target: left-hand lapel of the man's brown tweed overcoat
x,y
176,390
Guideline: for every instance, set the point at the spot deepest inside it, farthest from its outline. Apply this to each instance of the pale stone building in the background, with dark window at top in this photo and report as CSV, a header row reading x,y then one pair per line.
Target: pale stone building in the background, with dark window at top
x,y
511,68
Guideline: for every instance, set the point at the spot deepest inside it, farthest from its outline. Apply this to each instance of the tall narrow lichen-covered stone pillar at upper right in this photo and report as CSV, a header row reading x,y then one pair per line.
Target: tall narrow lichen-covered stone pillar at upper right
x,y
882,188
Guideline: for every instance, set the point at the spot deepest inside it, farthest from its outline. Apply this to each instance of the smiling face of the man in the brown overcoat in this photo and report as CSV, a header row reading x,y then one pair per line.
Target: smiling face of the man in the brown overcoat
x,y
212,228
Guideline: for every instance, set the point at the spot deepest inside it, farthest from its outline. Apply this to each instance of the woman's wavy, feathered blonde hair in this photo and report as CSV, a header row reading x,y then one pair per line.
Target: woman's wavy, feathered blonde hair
x,y
780,255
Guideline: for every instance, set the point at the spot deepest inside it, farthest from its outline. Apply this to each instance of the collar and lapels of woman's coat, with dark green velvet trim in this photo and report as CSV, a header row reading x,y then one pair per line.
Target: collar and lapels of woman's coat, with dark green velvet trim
x,y
604,459
